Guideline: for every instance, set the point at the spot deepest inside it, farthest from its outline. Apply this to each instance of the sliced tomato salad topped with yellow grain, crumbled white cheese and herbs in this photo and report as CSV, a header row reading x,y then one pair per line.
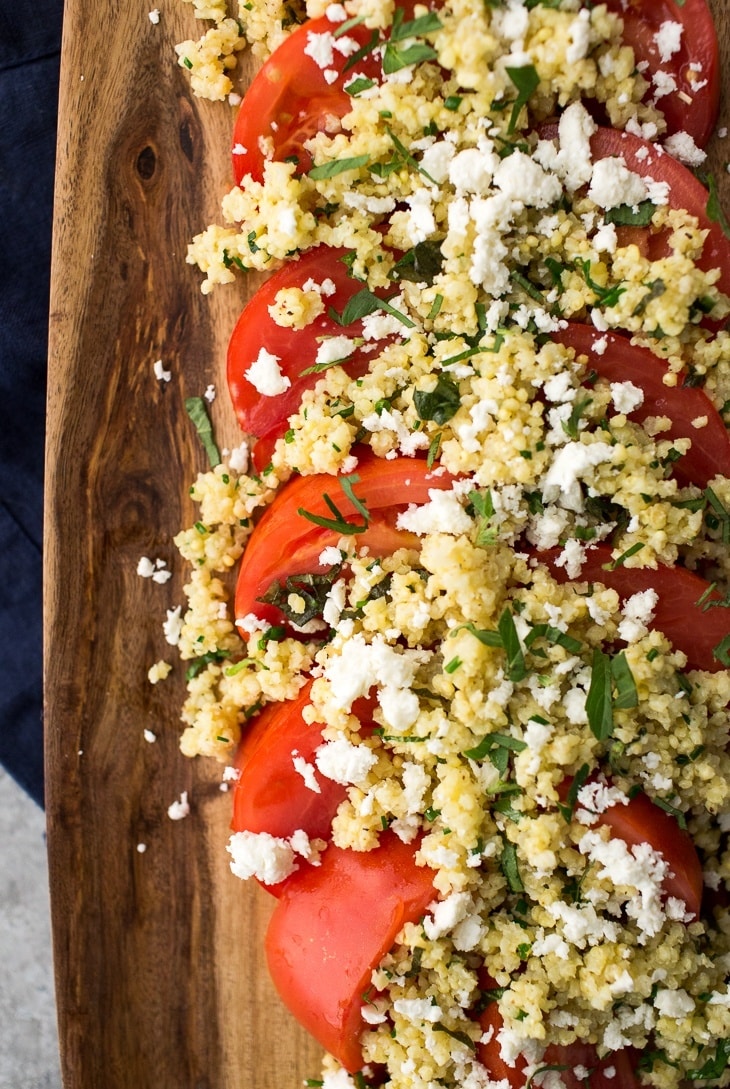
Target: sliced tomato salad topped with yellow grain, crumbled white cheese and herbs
x,y
471,558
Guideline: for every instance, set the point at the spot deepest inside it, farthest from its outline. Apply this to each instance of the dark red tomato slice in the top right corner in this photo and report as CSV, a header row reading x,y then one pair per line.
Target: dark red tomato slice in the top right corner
x,y
695,66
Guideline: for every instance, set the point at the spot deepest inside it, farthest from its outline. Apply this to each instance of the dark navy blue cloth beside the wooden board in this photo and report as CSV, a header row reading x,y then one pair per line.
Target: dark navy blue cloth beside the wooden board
x,y
30,50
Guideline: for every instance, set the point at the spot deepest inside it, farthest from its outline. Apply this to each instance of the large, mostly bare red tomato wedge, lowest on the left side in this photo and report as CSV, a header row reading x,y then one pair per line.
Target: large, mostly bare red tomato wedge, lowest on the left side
x,y
332,926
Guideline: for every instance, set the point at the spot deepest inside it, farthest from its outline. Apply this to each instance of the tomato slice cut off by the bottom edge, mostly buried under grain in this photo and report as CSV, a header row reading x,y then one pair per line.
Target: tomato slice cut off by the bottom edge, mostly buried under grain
x,y
616,1071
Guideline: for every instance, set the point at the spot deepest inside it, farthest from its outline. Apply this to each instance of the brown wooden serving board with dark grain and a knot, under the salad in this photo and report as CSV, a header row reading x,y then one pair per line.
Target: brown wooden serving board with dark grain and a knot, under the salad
x,y
161,975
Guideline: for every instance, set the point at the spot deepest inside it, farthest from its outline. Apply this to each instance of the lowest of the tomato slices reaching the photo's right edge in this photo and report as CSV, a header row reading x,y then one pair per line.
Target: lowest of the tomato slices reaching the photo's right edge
x,y
695,631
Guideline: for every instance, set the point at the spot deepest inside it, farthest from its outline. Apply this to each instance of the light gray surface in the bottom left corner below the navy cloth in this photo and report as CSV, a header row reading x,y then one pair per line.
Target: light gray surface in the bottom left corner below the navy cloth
x,y
29,1043
